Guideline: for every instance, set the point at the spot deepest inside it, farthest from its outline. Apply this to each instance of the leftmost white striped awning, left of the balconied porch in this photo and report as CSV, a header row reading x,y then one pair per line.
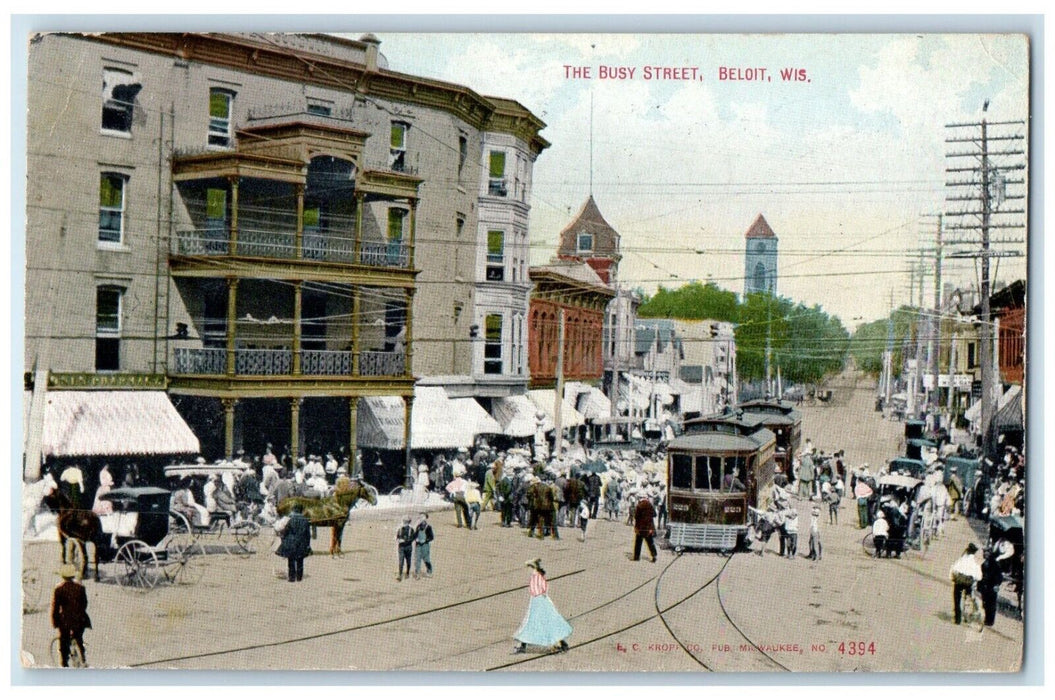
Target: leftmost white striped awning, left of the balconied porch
x,y
114,423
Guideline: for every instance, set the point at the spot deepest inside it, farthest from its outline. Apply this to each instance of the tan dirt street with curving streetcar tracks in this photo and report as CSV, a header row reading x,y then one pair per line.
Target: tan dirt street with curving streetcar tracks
x,y
698,612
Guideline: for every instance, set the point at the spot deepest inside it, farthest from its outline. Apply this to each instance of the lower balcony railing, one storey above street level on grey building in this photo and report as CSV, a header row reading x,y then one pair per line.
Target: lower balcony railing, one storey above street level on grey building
x,y
280,362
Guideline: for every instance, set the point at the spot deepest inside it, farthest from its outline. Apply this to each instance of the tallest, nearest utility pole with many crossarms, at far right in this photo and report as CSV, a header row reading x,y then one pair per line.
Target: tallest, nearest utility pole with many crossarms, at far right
x,y
983,188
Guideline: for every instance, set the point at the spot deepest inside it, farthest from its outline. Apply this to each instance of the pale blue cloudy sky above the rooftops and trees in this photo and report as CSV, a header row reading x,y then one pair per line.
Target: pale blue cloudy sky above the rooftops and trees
x,y
846,165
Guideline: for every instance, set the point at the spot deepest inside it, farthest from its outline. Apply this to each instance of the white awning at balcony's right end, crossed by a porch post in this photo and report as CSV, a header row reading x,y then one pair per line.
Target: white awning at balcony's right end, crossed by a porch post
x,y
437,422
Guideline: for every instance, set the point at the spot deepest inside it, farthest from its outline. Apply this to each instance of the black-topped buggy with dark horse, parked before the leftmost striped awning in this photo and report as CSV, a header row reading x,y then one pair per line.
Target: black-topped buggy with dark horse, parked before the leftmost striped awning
x,y
137,539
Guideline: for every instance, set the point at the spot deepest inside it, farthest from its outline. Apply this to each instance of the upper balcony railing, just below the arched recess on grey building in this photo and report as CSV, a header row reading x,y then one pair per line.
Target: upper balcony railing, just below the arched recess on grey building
x,y
282,246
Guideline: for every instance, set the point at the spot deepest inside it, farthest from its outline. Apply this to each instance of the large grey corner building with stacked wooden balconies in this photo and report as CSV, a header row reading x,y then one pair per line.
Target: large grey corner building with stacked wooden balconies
x,y
271,228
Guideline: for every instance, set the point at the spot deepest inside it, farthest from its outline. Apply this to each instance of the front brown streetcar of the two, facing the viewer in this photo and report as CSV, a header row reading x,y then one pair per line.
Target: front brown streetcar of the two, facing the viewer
x,y
719,469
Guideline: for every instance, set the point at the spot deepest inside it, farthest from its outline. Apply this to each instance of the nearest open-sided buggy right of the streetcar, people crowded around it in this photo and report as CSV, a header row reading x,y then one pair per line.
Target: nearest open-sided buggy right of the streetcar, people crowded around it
x,y
906,507
